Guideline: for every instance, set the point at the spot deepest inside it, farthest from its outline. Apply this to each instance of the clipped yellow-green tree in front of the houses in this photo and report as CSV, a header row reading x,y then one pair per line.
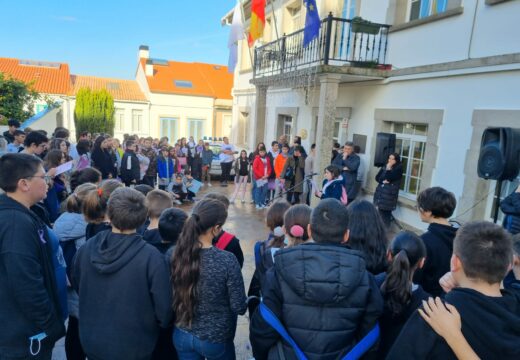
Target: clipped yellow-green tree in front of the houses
x,y
94,111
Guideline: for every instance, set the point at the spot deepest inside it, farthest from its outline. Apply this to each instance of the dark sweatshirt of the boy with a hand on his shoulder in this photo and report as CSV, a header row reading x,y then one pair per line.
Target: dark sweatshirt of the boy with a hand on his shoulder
x,y
491,326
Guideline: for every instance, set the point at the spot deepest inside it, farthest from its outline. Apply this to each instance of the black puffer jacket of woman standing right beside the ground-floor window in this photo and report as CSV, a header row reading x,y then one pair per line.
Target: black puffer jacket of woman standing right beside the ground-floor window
x,y
386,195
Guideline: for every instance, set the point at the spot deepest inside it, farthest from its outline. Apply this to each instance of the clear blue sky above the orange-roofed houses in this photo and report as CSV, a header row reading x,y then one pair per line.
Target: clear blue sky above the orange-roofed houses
x,y
101,38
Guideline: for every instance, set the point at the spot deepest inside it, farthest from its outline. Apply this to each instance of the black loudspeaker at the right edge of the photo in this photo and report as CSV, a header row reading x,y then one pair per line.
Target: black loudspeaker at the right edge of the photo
x,y
499,154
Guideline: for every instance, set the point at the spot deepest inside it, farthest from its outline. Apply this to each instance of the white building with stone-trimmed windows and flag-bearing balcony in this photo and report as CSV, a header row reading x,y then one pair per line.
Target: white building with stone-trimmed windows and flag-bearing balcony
x,y
455,71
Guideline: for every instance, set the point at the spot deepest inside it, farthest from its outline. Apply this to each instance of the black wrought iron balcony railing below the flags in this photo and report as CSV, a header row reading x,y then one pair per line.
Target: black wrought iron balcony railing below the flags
x,y
340,42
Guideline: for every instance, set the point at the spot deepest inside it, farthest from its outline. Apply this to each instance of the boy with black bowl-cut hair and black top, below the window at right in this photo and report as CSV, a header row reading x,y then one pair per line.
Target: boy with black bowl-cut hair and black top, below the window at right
x,y
435,206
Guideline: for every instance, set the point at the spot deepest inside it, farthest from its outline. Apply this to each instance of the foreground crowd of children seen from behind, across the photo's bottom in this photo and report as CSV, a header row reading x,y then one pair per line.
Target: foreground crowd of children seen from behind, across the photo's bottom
x,y
143,279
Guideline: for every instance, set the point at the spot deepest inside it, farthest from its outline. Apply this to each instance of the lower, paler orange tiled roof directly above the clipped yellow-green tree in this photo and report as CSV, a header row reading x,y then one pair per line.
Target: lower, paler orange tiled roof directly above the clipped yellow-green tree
x,y
120,89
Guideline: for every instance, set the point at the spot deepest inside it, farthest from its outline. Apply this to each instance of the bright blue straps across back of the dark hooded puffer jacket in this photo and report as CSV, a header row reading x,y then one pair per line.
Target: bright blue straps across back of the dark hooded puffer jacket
x,y
355,353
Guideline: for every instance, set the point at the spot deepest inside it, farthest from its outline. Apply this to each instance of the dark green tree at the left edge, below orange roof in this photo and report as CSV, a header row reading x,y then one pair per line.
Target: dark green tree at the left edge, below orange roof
x,y
16,99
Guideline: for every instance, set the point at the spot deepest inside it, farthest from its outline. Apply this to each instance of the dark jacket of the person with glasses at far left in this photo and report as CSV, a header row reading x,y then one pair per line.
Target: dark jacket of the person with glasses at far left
x,y
28,291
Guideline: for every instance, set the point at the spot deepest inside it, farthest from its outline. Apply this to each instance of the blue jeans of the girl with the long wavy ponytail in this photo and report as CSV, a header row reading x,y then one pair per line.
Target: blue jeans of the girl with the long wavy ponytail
x,y
190,347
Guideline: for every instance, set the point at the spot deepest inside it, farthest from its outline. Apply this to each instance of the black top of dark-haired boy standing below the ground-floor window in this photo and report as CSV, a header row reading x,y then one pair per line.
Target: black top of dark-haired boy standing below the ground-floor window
x,y
438,241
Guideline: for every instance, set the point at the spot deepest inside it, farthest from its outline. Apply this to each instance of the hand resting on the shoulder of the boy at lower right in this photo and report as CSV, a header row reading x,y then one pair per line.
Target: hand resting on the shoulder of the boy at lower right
x,y
442,317
